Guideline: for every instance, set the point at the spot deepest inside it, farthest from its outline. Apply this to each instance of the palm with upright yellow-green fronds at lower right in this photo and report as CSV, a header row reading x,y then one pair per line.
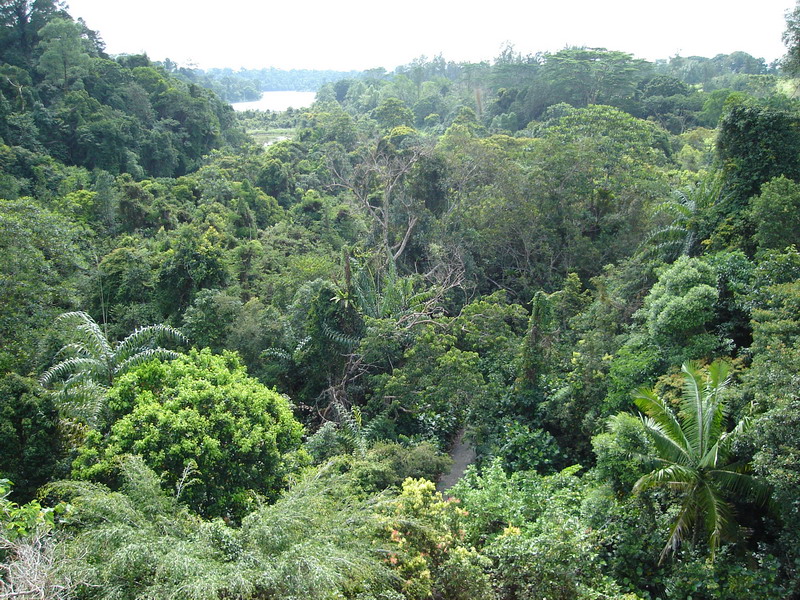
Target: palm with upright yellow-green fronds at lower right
x,y
693,457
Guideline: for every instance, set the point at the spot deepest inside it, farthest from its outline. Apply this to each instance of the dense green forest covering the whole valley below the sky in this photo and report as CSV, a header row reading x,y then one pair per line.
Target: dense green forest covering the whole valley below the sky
x,y
235,371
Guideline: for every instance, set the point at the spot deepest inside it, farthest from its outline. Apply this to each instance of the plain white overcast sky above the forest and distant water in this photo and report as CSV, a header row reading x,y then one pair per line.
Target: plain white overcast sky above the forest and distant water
x,y
361,34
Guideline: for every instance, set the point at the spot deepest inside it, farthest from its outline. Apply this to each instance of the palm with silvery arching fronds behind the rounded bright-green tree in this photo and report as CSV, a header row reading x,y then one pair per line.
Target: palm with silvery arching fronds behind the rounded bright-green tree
x,y
92,363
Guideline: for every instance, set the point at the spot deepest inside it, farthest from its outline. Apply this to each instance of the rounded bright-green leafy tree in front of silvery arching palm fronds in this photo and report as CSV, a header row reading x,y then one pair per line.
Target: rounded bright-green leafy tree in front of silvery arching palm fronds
x,y
199,418
